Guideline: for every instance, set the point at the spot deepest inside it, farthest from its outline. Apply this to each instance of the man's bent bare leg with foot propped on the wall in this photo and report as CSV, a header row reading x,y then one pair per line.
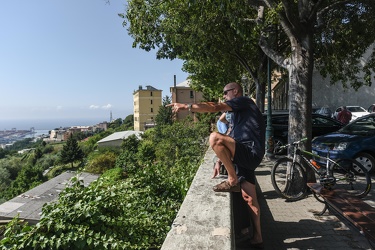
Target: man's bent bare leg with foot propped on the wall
x,y
224,147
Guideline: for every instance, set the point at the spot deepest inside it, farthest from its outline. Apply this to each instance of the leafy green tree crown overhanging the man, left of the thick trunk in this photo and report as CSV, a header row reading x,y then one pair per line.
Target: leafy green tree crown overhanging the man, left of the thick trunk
x,y
202,34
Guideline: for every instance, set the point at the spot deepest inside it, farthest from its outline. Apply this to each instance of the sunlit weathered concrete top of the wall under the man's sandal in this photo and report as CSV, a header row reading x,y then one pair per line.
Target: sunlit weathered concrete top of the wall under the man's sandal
x,y
204,220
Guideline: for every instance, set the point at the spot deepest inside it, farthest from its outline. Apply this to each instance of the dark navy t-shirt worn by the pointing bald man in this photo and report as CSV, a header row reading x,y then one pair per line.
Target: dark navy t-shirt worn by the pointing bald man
x,y
247,123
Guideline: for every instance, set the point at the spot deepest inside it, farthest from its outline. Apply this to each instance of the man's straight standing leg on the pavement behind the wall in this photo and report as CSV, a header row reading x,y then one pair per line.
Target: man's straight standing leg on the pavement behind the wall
x,y
250,196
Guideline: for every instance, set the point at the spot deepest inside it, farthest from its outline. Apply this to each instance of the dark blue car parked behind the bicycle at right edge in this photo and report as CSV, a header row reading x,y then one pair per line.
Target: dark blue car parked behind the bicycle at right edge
x,y
355,140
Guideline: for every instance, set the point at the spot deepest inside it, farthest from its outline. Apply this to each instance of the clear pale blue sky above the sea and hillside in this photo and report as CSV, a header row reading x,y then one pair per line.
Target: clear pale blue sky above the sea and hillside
x,y
72,61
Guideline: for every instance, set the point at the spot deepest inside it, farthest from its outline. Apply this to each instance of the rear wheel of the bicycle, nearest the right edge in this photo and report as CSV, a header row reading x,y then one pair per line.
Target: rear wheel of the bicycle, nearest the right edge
x,y
351,176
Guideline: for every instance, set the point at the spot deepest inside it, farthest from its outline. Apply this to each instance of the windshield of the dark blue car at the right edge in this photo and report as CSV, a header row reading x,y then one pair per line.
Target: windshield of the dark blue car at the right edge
x,y
364,126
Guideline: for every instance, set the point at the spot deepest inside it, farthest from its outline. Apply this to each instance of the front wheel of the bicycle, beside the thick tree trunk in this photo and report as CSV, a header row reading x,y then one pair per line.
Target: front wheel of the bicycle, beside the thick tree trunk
x,y
289,186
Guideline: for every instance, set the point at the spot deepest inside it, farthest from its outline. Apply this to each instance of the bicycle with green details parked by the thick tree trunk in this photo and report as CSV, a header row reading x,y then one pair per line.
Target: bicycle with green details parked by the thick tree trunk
x,y
289,176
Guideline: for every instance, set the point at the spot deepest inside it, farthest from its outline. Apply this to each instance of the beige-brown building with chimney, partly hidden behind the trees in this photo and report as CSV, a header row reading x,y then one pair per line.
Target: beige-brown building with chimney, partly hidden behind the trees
x,y
183,93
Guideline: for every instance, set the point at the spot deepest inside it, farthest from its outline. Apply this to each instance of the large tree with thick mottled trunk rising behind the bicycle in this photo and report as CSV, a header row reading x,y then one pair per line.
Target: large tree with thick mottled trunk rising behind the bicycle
x,y
298,35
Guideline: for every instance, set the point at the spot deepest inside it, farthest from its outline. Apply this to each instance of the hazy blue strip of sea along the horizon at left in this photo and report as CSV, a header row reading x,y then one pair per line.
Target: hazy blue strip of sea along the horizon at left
x,y
47,124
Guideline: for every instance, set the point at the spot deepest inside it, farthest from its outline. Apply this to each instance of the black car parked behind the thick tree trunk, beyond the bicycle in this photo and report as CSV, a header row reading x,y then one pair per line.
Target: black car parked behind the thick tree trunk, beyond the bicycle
x,y
320,125
